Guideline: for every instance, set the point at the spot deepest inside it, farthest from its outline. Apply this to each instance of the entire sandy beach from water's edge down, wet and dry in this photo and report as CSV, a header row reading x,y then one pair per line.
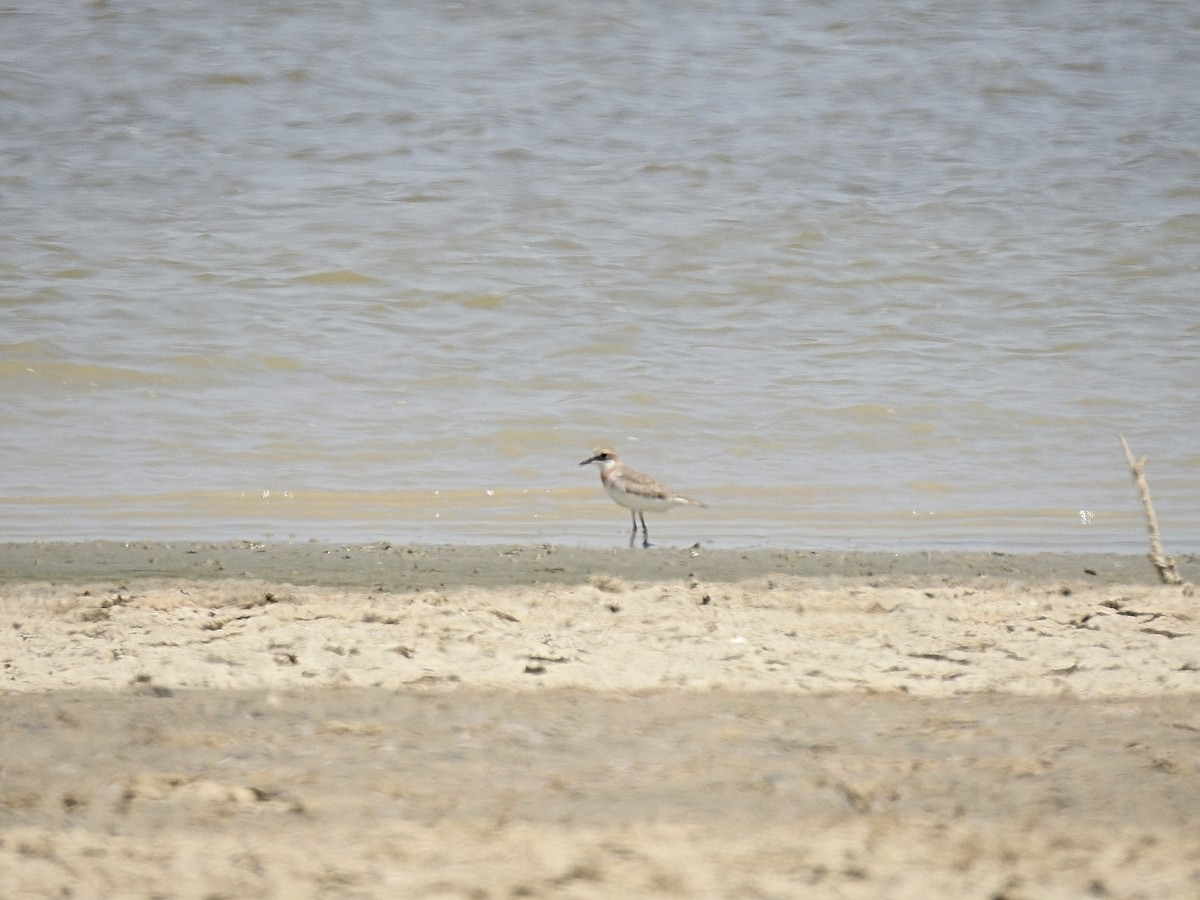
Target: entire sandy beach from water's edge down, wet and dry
x,y
243,721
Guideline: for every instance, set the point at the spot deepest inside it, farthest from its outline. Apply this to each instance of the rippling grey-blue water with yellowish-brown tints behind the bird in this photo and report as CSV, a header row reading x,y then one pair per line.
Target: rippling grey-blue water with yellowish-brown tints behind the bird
x,y
860,275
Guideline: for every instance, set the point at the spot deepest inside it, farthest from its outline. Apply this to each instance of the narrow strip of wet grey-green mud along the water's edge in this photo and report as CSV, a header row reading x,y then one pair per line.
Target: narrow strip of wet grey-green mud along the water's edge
x,y
409,568
